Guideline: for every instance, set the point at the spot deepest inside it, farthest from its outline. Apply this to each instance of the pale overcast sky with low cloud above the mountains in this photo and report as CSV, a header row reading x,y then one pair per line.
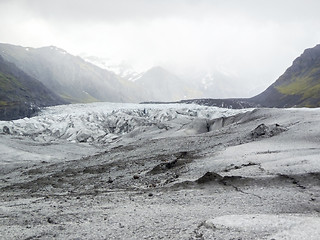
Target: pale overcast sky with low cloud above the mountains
x,y
253,41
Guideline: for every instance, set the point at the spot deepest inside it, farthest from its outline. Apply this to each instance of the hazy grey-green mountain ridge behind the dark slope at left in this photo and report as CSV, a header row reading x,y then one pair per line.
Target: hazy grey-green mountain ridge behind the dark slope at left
x,y
70,77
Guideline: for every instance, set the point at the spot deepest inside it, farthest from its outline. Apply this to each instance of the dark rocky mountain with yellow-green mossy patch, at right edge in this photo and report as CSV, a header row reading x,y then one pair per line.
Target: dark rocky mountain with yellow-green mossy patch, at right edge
x,y
299,86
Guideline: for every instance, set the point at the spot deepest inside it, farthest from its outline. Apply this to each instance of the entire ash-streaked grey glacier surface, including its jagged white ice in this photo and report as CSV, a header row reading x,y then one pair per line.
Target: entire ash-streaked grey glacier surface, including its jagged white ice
x,y
110,171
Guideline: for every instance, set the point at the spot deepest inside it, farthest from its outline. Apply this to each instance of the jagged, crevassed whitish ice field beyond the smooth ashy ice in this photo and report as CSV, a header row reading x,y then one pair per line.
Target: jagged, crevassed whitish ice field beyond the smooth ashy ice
x,y
103,122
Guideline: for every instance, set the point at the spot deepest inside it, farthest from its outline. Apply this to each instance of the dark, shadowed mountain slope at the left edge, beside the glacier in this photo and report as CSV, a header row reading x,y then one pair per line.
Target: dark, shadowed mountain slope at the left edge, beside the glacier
x,y
22,95
